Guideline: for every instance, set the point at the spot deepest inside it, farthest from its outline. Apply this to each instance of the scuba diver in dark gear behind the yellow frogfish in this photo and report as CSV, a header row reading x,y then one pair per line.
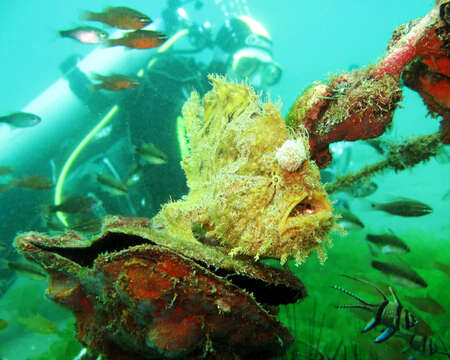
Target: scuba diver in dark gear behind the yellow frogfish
x,y
150,115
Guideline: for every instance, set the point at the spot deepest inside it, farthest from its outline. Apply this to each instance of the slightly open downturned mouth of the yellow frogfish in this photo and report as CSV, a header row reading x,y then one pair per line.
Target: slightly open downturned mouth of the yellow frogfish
x,y
307,212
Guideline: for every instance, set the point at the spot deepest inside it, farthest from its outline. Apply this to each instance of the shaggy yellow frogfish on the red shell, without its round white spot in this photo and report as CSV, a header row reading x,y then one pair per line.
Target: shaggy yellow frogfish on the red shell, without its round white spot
x,y
239,195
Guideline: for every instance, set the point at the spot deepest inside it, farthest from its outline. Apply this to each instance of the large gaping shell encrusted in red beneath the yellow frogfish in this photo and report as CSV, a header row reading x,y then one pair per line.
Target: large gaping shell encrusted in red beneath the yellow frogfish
x,y
139,292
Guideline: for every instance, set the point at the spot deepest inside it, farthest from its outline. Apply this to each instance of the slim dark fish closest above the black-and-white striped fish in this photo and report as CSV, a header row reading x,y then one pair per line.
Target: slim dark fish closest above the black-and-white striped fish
x,y
401,275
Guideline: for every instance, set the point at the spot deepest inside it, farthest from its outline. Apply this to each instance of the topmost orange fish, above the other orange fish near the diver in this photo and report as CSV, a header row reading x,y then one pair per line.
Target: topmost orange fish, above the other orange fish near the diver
x,y
119,16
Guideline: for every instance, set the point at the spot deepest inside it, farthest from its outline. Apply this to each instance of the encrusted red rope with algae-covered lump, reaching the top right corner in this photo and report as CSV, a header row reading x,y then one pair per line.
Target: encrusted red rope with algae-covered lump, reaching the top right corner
x,y
360,104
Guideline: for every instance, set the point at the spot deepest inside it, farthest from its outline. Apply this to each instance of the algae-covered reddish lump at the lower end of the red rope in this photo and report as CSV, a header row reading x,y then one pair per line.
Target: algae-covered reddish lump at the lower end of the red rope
x,y
351,106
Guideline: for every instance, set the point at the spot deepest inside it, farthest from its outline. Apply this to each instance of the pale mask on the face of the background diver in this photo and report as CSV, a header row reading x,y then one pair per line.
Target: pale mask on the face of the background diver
x,y
255,65
